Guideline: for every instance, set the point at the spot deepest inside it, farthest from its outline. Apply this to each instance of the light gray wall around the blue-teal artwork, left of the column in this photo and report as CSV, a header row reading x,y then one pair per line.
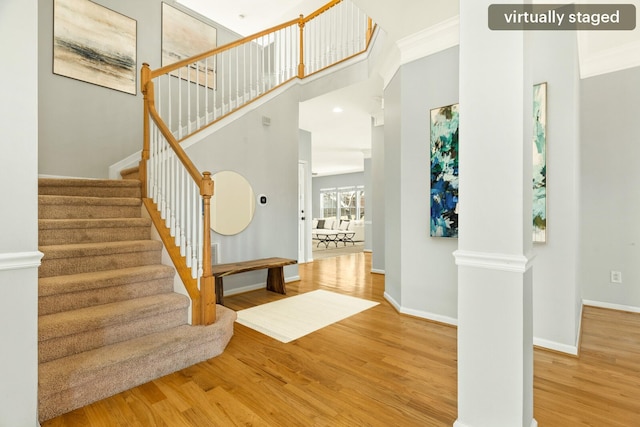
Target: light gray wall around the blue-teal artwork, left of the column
x,y
420,265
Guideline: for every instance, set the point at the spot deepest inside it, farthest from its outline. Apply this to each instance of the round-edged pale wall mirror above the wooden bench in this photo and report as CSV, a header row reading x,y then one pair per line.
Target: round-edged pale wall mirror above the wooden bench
x,y
233,203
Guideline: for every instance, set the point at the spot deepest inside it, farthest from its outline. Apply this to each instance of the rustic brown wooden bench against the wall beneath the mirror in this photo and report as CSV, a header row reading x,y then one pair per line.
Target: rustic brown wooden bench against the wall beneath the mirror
x,y
275,274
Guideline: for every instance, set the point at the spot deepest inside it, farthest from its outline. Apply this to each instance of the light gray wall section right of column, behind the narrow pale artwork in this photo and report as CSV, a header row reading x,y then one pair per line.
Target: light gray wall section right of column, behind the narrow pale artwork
x,y
556,286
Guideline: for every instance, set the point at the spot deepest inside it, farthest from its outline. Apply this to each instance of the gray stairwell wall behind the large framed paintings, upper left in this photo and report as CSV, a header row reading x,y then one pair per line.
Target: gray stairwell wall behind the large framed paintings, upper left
x,y
84,128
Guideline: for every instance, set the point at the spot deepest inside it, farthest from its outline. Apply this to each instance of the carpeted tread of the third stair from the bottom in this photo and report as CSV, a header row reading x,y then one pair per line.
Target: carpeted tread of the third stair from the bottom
x,y
102,279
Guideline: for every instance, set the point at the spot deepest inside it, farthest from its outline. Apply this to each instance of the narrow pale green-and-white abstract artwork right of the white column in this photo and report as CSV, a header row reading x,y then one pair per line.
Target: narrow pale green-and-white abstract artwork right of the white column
x,y
540,162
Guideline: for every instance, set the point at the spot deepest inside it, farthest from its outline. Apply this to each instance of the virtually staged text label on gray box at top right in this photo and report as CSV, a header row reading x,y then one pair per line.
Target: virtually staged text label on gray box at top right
x,y
562,17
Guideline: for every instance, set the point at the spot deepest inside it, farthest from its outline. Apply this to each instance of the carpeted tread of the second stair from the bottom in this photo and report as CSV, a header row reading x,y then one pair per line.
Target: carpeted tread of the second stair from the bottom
x,y
76,321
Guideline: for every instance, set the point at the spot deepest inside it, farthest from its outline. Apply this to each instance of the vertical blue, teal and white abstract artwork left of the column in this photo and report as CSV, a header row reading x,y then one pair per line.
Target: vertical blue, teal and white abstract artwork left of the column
x,y
444,171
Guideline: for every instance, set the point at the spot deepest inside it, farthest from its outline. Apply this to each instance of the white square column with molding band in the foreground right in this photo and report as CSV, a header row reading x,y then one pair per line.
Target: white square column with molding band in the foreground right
x,y
495,340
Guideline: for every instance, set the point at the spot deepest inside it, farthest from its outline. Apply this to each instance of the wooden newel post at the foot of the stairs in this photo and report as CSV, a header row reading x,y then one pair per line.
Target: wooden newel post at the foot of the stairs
x,y
207,282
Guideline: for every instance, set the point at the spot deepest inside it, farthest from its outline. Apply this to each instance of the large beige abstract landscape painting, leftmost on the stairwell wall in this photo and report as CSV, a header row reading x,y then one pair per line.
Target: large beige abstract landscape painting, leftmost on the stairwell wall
x,y
94,44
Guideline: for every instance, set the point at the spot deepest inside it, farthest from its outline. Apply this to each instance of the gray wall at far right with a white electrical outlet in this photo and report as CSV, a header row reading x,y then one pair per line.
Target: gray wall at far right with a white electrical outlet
x,y
609,199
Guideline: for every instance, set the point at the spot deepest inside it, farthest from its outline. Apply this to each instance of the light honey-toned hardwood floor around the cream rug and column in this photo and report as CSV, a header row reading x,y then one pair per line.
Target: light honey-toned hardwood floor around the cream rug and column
x,y
377,368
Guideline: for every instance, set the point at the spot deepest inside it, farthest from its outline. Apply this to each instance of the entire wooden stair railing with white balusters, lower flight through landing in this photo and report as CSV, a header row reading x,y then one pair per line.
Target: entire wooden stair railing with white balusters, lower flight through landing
x,y
183,98
